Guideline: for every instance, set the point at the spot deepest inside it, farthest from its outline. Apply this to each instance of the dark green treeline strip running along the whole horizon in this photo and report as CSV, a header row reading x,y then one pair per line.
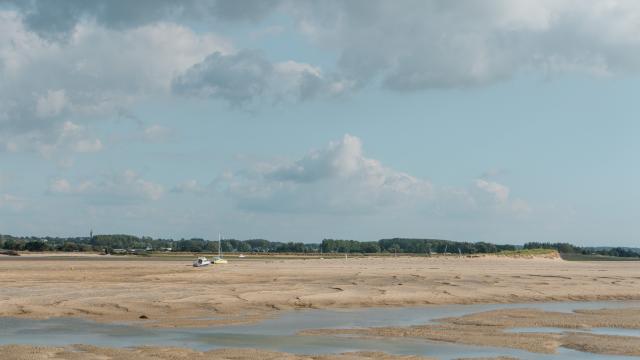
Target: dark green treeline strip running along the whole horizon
x,y
119,243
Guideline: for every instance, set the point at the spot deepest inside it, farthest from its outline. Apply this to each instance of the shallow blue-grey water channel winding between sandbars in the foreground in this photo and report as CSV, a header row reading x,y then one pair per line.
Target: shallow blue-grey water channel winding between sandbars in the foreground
x,y
280,333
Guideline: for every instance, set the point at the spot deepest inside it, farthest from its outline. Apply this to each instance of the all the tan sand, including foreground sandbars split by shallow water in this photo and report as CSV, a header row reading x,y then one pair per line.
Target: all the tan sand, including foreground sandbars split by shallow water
x,y
156,292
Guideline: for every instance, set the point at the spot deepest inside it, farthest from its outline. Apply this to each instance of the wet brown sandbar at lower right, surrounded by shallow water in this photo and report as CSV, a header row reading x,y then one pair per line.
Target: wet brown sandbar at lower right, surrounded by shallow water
x,y
491,328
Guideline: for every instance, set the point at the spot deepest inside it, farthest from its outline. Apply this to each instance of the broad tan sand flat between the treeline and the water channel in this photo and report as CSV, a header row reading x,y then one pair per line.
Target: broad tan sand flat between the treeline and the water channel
x,y
169,293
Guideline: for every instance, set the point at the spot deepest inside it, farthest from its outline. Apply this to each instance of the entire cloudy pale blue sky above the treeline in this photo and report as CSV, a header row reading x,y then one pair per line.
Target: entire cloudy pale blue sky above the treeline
x,y
505,121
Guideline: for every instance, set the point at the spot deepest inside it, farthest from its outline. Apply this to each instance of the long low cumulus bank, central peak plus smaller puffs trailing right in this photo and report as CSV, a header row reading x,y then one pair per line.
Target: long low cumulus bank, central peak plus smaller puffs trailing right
x,y
341,179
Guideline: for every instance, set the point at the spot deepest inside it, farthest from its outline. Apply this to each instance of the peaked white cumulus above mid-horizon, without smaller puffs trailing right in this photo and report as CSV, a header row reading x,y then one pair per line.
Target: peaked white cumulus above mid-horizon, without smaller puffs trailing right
x,y
338,178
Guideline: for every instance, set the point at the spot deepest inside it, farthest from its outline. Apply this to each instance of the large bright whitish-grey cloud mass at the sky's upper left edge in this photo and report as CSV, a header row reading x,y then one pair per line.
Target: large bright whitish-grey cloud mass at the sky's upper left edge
x,y
98,71
